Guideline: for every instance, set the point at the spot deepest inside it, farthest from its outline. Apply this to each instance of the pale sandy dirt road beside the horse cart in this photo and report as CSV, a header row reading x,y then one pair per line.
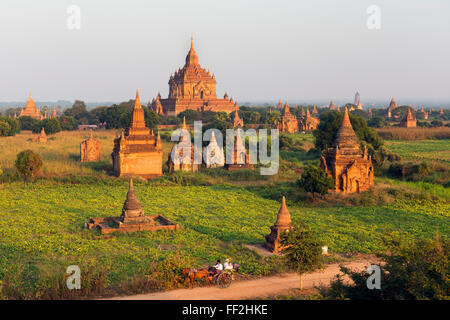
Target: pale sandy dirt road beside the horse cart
x,y
248,289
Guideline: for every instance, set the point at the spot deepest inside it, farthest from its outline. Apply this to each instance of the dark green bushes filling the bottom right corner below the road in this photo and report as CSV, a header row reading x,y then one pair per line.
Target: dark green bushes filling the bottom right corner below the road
x,y
411,271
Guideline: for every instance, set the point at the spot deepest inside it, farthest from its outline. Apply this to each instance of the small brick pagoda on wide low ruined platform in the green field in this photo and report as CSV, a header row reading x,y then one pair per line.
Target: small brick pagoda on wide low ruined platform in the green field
x,y
132,219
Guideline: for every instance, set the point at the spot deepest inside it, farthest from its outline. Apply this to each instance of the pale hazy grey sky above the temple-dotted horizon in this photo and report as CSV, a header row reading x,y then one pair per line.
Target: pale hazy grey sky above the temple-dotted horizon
x,y
258,50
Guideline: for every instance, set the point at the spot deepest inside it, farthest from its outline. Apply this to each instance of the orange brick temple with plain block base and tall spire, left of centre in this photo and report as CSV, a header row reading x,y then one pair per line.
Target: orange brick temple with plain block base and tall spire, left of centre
x,y
137,151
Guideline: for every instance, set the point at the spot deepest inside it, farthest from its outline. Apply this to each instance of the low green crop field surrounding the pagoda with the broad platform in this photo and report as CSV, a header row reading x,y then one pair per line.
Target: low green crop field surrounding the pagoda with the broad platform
x,y
42,224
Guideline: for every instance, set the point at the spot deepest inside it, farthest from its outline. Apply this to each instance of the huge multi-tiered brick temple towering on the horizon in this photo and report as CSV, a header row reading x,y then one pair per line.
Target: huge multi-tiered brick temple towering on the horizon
x,y
192,88
